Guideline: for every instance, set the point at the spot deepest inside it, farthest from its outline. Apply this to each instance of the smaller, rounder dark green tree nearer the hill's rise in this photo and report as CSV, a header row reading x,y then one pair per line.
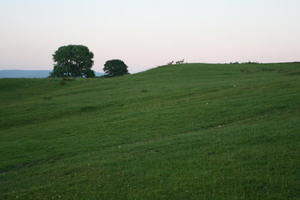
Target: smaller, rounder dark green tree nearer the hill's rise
x,y
115,68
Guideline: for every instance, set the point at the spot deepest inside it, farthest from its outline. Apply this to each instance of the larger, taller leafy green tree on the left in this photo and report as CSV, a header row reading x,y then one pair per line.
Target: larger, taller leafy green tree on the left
x,y
73,61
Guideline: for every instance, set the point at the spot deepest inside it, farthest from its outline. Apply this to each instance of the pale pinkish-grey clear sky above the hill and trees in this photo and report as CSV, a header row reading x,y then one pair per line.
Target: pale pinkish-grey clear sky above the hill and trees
x,y
149,33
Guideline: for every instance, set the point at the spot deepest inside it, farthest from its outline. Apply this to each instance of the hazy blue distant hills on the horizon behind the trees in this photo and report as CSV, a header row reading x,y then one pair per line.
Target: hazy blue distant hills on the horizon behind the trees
x,y
28,73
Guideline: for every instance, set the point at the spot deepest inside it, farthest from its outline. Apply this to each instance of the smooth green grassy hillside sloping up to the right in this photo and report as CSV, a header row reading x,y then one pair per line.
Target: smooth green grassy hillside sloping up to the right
x,y
194,131
